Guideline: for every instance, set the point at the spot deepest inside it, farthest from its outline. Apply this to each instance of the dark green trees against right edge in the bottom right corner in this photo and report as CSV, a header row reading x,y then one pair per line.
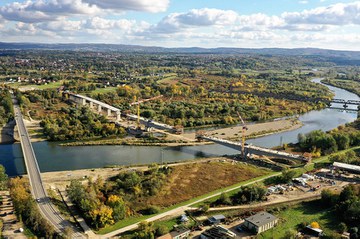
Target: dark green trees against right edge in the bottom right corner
x,y
346,206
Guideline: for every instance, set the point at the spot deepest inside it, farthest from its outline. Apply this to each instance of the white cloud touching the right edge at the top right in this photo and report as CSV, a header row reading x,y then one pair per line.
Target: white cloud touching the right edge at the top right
x,y
337,14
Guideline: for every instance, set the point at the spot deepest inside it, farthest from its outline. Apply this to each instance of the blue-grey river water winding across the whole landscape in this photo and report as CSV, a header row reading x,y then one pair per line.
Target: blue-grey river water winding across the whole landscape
x,y
52,157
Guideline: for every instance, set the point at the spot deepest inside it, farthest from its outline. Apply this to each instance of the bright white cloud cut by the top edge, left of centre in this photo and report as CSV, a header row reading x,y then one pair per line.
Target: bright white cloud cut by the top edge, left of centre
x,y
134,5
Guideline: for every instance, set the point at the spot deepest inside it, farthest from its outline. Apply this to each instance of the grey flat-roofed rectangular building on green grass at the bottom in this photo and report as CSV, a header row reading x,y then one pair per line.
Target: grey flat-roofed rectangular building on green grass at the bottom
x,y
260,222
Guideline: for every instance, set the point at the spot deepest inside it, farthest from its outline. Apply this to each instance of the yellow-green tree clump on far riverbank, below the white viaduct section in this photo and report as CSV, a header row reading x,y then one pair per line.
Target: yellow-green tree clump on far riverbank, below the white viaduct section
x,y
74,123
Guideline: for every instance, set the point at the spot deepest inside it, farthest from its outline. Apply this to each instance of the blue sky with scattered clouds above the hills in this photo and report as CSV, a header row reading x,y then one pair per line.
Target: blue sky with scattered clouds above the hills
x,y
327,24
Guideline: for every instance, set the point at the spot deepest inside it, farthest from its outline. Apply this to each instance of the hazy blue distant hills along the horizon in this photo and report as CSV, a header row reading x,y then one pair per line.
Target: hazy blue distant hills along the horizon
x,y
348,55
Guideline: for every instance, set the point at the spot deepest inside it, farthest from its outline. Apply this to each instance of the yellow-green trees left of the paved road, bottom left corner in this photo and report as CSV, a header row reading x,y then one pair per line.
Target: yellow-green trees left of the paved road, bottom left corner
x,y
27,210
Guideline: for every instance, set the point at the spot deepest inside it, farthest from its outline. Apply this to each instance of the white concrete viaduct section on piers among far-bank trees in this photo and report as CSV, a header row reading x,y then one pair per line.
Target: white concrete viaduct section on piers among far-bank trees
x,y
99,106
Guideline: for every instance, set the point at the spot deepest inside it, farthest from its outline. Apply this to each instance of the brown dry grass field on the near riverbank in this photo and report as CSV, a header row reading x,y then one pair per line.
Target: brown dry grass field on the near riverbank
x,y
191,180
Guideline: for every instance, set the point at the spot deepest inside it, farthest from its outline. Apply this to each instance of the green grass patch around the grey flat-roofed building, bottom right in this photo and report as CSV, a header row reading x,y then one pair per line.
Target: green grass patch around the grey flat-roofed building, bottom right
x,y
306,212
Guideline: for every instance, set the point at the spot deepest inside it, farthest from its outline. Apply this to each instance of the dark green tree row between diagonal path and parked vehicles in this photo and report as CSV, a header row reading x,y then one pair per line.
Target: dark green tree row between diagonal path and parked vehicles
x,y
246,194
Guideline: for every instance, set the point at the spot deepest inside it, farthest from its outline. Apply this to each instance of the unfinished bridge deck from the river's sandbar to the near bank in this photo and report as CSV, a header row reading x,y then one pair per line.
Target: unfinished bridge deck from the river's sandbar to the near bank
x,y
251,149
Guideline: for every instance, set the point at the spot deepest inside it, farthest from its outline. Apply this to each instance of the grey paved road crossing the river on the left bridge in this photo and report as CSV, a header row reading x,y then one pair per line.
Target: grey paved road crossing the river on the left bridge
x,y
38,191
